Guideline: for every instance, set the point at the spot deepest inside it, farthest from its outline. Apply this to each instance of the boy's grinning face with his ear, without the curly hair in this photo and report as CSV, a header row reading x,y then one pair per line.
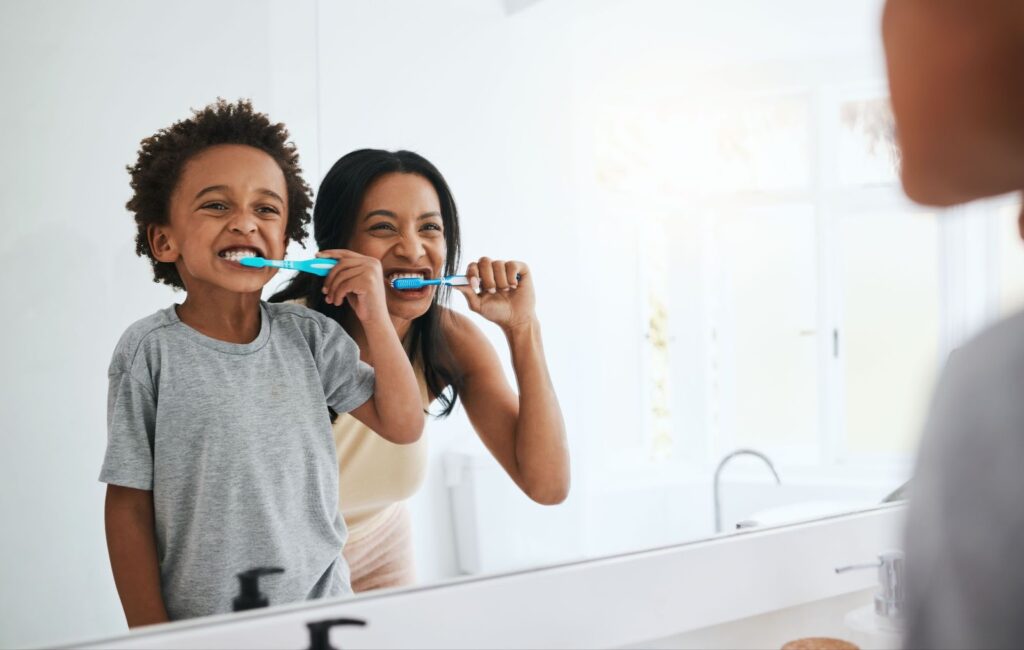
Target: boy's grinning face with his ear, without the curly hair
x,y
230,203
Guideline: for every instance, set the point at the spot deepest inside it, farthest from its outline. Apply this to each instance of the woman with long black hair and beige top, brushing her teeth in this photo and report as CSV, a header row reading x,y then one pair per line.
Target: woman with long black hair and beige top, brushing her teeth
x,y
397,207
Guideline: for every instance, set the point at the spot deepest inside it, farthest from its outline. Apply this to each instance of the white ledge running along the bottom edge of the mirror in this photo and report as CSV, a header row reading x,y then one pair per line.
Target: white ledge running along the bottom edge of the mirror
x,y
611,602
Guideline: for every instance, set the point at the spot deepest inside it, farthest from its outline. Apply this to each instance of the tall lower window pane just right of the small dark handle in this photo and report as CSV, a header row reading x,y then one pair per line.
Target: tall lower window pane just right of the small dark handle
x,y
890,329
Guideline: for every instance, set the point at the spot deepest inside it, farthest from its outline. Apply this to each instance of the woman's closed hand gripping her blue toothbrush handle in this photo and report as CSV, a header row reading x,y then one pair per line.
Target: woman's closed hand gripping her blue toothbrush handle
x,y
501,292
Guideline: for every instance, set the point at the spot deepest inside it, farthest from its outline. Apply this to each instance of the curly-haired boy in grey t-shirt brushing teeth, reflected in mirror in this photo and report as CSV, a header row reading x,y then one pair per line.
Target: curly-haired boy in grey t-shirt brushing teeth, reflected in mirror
x,y
221,456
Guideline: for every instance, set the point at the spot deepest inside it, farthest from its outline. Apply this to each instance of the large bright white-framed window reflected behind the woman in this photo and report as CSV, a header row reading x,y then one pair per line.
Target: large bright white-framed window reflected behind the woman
x,y
793,300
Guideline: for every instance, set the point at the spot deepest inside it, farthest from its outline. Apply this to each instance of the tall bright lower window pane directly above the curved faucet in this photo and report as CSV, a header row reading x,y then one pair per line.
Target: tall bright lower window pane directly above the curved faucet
x,y
767,327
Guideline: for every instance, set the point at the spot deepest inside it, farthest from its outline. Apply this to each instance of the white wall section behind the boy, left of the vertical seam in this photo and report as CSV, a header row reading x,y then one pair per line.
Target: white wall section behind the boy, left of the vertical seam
x,y
83,84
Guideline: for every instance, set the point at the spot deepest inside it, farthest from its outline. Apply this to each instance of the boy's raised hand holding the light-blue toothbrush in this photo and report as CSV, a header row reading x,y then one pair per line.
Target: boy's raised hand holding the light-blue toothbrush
x,y
361,280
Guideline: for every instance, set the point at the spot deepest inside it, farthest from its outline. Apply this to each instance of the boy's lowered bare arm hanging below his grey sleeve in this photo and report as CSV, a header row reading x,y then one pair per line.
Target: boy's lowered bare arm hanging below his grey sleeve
x,y
133,546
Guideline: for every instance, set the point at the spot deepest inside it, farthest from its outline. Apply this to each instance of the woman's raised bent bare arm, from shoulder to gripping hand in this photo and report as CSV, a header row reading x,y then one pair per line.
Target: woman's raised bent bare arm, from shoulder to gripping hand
x,y
525,432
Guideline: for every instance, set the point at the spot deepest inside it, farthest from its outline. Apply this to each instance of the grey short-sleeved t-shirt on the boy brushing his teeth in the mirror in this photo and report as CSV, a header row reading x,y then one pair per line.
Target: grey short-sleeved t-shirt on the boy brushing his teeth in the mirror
x,y
235,442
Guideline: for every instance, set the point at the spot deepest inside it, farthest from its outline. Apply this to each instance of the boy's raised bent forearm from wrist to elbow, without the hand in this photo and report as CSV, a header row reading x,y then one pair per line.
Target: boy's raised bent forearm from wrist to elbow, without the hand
x,y
396,409
